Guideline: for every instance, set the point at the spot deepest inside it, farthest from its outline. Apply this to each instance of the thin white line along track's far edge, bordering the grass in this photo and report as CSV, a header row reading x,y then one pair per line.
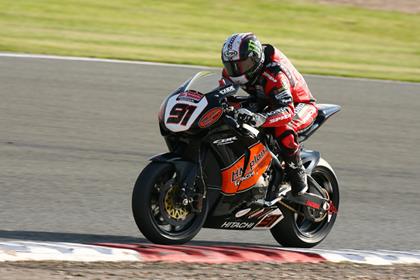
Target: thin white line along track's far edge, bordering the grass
x,y
90,59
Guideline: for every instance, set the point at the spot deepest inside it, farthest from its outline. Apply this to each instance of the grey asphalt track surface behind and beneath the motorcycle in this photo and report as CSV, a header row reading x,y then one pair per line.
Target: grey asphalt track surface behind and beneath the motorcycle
x,y
74,135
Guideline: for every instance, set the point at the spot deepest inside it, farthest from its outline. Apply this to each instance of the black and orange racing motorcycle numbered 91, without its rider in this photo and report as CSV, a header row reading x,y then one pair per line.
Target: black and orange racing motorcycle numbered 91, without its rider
x,y
223,174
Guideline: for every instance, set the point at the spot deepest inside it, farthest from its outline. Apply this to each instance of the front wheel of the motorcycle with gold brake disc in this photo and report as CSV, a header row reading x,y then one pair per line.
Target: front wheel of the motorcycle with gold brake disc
x,y
157,210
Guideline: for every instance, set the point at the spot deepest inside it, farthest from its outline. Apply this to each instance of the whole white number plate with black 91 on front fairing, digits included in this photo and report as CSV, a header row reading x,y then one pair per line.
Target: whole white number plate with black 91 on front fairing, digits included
x,y
183,109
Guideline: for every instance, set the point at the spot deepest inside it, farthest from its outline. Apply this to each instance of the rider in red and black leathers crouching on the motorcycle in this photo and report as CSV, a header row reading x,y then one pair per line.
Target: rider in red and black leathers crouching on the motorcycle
x,y
267,74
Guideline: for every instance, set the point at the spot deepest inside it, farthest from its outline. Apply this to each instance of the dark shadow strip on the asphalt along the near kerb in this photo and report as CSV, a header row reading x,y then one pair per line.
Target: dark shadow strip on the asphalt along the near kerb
x,y
96,238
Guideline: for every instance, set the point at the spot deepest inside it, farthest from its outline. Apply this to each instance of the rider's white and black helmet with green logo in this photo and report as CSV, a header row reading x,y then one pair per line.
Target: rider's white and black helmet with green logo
x,y
243,57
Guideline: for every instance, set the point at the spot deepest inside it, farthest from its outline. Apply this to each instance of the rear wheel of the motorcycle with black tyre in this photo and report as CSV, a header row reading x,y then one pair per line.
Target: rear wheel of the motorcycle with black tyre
x,y
297,231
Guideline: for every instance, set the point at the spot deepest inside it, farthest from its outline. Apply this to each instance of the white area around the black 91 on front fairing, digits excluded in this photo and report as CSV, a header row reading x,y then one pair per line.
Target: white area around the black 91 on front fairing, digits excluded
x,y
178,127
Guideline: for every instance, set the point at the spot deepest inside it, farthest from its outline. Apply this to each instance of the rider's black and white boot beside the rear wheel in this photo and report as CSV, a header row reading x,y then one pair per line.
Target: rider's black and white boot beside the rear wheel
x,y
296,173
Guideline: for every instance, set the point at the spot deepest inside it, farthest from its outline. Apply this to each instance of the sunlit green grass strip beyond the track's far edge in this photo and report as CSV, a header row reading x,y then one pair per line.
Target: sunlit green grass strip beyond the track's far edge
x,y
320,39
